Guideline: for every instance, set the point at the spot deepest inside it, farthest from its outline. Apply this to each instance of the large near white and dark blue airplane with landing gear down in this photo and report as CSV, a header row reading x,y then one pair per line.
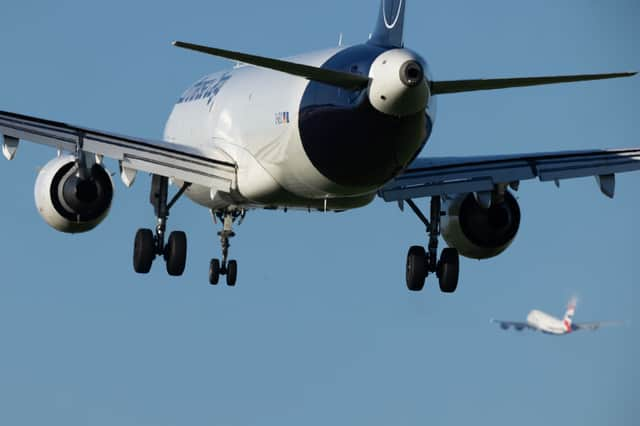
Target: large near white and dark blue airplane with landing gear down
x,y
322,131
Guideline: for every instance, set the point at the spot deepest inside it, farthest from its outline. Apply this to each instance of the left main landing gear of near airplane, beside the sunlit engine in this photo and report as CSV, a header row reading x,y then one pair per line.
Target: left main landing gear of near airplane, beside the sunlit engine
x,y
148,244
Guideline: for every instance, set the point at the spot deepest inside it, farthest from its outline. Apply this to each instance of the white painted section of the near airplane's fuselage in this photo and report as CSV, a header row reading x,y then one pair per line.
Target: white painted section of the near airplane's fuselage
x,y
272,165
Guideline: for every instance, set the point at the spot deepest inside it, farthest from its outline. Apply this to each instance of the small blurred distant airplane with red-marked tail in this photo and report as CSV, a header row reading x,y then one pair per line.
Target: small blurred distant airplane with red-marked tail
x,y
541,321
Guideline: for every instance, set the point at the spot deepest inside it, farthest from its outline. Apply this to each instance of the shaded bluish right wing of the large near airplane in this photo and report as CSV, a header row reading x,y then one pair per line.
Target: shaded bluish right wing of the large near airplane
x,y
427,177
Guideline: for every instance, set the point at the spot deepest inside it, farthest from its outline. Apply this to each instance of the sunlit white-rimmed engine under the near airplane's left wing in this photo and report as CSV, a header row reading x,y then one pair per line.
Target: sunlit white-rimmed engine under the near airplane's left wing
x,y
69,203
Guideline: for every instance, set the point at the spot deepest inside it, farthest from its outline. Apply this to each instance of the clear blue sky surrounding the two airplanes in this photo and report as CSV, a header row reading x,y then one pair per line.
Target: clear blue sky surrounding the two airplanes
x,y
321,329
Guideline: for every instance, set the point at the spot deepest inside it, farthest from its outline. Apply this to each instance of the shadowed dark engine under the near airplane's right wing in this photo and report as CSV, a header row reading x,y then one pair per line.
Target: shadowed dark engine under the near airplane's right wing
x,y
478,232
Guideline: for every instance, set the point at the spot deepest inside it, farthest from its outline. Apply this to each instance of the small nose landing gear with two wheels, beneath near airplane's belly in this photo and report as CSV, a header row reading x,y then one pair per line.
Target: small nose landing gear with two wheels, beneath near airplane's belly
x,y
225,267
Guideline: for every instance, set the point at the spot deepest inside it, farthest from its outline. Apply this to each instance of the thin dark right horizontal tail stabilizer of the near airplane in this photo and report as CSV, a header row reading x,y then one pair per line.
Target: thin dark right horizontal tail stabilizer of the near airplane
x,y
459,86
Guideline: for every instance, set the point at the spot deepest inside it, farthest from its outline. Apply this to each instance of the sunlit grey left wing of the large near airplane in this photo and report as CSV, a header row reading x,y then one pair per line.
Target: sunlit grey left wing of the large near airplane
x,y
212,168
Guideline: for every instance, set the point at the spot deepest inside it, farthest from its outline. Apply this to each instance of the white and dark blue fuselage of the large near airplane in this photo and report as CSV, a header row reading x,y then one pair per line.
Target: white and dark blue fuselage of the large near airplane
x,y
298,143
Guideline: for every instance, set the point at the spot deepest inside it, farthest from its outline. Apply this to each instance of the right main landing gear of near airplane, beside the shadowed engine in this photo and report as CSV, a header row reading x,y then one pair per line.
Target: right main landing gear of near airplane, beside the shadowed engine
x,y
420,262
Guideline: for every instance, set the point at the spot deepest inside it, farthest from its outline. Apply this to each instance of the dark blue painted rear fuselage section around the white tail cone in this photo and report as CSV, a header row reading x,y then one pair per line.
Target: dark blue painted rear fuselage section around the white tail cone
x,y
362,147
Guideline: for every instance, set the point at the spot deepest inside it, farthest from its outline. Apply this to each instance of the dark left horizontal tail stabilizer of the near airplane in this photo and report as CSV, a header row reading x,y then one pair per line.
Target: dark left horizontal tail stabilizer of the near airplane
x,y
334,78
